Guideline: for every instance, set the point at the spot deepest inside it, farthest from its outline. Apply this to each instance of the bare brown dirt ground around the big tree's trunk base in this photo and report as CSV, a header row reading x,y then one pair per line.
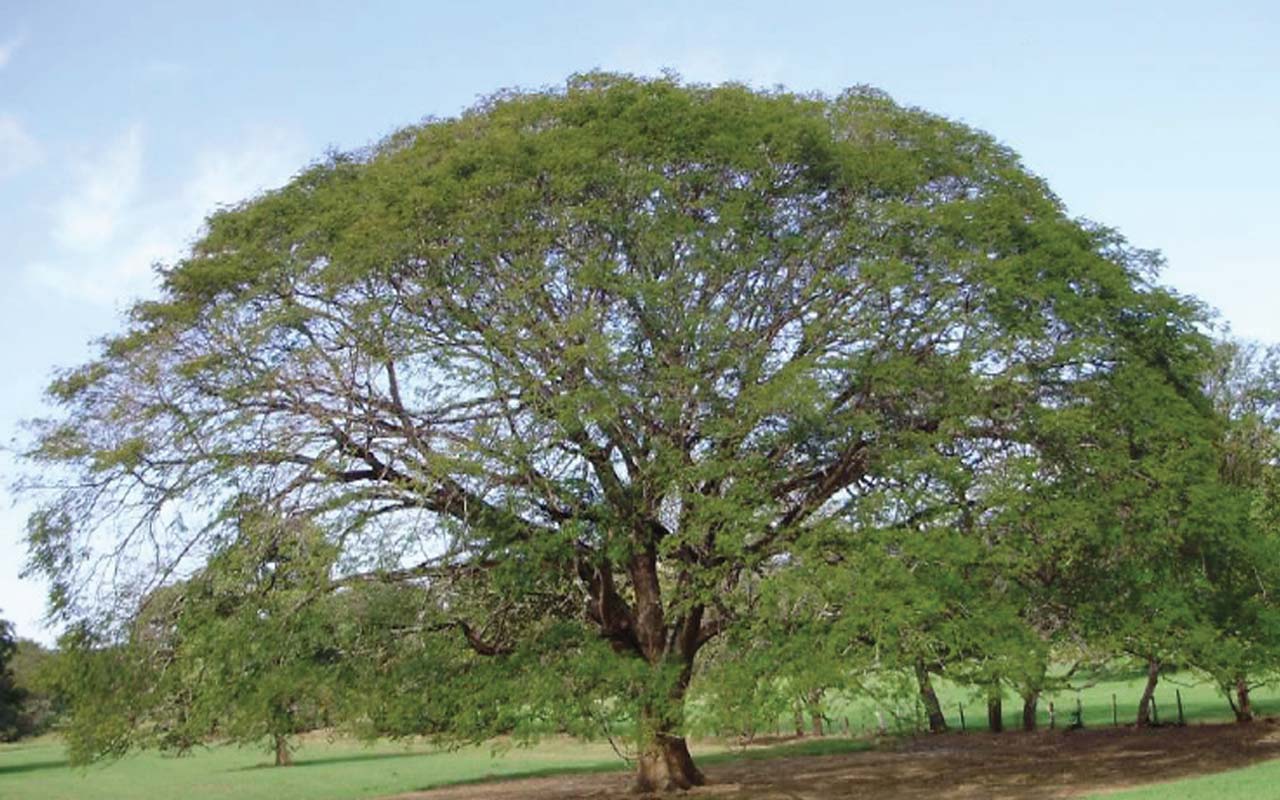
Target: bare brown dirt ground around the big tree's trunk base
x,y
1012,766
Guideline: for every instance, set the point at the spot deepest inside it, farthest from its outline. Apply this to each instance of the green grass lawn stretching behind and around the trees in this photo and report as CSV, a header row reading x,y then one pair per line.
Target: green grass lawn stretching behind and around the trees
x,y
341,770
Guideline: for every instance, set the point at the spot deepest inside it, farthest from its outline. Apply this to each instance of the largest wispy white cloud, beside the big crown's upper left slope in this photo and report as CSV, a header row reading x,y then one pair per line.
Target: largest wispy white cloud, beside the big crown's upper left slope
x,y
118,221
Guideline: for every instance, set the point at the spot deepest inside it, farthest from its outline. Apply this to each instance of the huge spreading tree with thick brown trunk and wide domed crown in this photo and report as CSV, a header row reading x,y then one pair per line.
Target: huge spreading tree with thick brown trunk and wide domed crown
x,y
589,364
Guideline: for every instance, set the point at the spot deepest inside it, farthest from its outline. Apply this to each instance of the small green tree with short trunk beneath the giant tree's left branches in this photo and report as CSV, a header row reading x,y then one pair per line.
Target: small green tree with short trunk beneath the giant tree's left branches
x,y
257,648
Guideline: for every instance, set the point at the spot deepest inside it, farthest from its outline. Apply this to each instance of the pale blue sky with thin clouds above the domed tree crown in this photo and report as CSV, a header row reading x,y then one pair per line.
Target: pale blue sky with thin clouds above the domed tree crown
x,y
124,125
